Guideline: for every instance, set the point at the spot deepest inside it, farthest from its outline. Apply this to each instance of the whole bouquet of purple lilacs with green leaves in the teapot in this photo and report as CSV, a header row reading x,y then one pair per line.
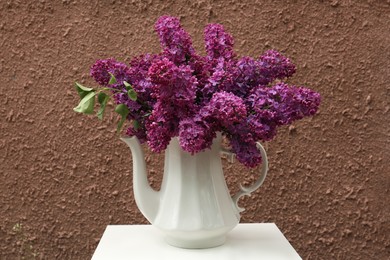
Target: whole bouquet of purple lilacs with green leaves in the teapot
x,y
181,93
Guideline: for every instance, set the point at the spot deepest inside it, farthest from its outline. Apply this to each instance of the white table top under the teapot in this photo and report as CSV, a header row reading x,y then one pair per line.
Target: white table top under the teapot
x,y
246,241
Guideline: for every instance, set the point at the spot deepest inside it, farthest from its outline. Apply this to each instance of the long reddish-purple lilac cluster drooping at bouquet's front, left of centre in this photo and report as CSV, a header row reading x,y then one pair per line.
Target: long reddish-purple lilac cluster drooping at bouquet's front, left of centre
x,y
174,88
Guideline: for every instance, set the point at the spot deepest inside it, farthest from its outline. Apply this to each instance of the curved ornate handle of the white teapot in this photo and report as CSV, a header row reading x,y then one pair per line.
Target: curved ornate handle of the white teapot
x,y
263,173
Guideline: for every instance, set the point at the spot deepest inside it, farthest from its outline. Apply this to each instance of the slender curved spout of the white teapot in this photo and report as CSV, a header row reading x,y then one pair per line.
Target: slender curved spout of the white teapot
x,y
146,198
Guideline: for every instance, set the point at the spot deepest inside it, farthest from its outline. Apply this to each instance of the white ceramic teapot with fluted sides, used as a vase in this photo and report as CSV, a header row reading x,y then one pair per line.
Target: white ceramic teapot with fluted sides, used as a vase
x,y
193,207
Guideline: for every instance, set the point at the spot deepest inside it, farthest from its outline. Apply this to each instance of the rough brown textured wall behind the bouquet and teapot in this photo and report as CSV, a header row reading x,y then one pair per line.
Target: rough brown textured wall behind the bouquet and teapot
x,y
65,176
